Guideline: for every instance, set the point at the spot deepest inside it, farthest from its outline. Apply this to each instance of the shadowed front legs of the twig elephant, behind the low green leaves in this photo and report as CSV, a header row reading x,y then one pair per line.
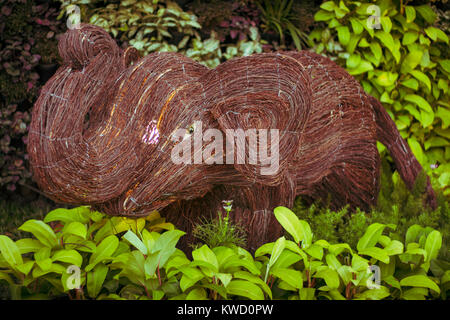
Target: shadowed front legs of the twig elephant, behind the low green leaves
x,y
252,209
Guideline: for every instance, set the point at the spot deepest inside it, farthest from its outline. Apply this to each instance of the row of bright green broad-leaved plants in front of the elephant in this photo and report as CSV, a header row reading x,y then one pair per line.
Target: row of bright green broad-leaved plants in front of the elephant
x,y
82,254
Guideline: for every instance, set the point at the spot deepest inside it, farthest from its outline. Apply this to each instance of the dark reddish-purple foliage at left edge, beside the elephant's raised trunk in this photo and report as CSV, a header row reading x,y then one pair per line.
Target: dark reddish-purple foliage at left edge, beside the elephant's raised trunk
x,y
28,32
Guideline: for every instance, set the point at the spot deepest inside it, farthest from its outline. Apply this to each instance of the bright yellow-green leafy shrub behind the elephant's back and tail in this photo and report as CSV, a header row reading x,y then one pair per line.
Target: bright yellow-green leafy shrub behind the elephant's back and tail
x,y
401,58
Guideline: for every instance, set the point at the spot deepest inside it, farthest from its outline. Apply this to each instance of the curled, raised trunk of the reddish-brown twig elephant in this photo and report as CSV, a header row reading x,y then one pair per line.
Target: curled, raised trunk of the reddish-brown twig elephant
x,y
70,108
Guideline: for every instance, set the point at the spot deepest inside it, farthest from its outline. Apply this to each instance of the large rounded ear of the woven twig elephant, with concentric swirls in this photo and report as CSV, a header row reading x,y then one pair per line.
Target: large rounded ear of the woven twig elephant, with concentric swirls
x,y
261,104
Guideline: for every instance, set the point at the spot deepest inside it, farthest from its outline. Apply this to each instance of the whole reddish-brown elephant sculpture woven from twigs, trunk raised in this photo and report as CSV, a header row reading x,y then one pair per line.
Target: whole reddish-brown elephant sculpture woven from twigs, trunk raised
x,y
102,134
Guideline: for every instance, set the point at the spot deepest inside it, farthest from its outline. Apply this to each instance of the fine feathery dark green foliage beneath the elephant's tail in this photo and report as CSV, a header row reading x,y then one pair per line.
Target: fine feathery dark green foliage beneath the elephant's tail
x,y
396,206
